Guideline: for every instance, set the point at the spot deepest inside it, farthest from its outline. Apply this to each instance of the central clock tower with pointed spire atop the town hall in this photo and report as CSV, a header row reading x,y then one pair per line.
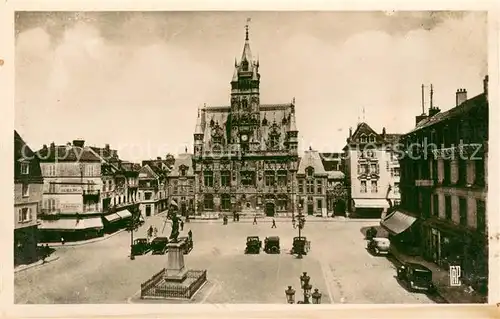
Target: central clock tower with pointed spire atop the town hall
x,y
245,113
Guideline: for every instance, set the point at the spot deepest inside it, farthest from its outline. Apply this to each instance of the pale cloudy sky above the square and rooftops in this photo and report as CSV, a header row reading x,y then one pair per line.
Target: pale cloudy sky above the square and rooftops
x,y
135,80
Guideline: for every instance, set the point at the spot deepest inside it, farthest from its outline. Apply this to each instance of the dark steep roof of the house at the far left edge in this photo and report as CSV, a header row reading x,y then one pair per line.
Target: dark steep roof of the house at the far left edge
x,y
23,153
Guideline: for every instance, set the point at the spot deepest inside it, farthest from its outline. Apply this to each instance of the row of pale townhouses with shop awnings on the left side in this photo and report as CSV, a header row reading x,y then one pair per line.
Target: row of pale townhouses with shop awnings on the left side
x,y
76,192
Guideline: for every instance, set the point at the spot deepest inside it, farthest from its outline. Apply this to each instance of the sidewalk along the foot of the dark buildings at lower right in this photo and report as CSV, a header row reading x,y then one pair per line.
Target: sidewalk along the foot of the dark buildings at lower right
x,y
441,280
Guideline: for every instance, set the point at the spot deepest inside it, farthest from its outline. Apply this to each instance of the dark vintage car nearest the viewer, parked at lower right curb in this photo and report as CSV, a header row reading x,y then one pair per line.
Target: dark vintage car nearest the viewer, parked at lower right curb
x,y
416,277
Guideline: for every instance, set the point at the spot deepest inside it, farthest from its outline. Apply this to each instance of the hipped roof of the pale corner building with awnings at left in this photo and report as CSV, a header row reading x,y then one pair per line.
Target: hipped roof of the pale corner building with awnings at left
x,y
67,153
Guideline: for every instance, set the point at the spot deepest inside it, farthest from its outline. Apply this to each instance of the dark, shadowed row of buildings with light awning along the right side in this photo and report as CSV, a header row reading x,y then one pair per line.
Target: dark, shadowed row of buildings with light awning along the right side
x,y
443,211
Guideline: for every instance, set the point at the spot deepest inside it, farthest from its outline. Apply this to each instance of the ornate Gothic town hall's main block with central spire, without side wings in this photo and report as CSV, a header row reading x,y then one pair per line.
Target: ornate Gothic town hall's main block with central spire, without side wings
x,y
245,154
